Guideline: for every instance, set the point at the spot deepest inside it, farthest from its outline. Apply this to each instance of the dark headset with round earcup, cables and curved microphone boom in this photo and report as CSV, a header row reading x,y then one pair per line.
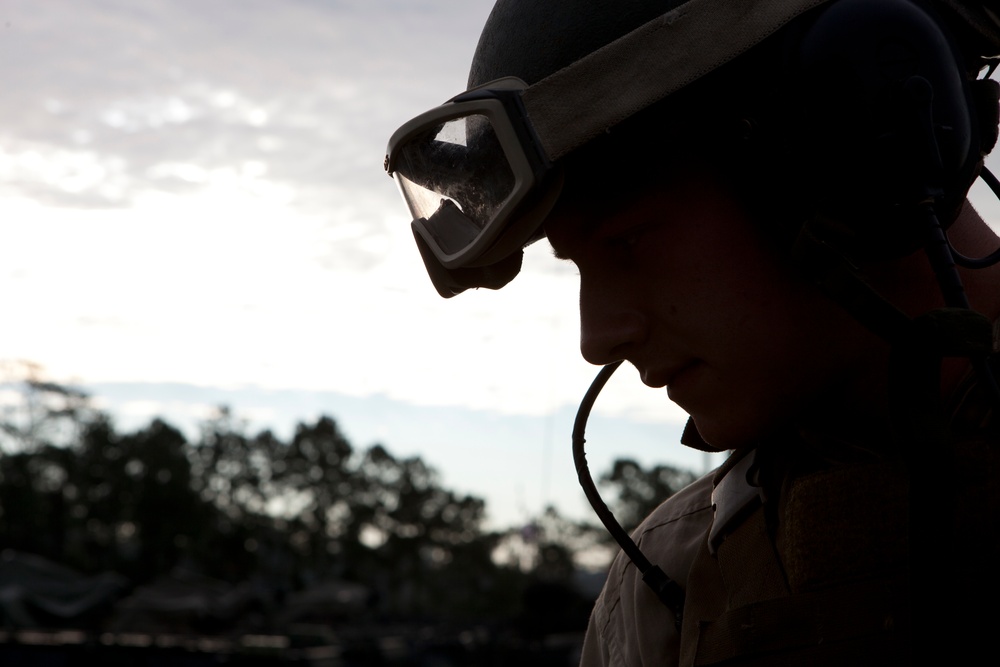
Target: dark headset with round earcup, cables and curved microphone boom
x,y
887,133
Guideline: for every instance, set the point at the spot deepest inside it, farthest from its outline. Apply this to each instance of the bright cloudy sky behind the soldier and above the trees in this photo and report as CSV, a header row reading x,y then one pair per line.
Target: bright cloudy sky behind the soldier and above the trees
x,y
193,212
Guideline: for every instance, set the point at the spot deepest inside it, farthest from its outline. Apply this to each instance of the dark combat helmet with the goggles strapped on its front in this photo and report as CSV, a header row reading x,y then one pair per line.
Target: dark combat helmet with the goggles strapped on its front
x,y
481,172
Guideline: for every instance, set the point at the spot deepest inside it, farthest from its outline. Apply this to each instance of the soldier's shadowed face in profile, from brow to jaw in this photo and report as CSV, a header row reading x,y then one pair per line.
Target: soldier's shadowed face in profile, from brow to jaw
x,y
679,282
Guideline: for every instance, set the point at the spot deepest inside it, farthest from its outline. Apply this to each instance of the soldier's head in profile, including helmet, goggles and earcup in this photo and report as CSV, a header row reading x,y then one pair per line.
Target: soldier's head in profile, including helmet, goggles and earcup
x,y
674,151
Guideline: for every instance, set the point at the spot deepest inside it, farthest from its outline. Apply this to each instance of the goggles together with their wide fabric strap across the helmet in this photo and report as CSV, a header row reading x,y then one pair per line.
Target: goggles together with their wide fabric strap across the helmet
x,y
480,173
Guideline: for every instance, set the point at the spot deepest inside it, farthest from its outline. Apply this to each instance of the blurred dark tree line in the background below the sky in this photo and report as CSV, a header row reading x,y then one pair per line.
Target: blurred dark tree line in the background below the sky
x,y
292,512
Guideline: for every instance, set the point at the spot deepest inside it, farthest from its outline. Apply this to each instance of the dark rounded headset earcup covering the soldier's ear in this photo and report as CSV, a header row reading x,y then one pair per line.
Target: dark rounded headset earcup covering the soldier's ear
x,y
884,118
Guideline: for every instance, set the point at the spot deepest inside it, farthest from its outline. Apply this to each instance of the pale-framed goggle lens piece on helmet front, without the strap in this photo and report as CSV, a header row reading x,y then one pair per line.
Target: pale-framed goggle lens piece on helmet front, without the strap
x,y
471,175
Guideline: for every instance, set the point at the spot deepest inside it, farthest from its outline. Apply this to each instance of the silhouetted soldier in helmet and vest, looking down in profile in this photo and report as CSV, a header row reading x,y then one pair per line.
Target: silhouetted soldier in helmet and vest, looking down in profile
x,y
766,202
